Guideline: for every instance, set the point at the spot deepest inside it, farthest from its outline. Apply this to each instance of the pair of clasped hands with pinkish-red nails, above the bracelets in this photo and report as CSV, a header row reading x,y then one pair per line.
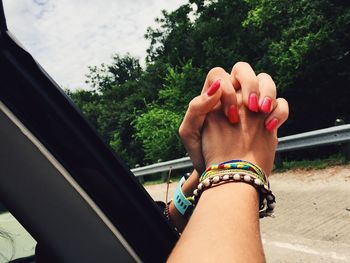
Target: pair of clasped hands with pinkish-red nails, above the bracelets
x,y
237,119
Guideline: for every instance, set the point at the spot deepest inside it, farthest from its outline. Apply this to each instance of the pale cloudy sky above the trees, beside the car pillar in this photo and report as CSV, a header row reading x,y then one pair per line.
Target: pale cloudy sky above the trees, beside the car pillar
x,y
67,36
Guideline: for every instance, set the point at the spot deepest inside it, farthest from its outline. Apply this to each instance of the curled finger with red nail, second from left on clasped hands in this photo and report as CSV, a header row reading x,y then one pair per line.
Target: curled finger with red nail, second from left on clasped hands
x,y
228,98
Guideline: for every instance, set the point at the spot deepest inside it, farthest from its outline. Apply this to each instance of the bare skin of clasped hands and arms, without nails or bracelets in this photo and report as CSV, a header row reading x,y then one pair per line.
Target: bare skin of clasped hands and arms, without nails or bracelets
x,y
225,224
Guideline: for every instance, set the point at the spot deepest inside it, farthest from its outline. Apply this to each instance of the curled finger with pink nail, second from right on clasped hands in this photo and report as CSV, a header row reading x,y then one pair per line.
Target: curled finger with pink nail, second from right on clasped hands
x,y
267,88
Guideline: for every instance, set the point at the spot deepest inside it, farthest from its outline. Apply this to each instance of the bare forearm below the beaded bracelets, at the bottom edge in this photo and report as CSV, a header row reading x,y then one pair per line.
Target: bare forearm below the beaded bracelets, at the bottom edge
x,y
223,228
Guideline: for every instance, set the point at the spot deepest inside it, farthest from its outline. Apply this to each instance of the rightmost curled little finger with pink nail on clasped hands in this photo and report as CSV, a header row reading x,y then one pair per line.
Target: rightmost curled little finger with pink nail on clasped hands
x,y
278,116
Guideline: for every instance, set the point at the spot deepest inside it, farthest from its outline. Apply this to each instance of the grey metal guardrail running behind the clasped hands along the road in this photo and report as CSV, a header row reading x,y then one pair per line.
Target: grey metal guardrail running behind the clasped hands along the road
x,y
333,135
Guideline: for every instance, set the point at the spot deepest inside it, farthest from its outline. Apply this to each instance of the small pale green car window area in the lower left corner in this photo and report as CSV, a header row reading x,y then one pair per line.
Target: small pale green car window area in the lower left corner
x,y
15,241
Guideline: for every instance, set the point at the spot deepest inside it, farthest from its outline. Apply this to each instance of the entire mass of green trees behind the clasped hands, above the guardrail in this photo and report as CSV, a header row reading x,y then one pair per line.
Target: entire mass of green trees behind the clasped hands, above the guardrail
x,y
304,45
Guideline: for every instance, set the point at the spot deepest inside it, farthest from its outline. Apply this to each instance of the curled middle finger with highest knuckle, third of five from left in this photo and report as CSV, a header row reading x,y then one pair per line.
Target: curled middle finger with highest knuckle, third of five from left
x,y
243,75
